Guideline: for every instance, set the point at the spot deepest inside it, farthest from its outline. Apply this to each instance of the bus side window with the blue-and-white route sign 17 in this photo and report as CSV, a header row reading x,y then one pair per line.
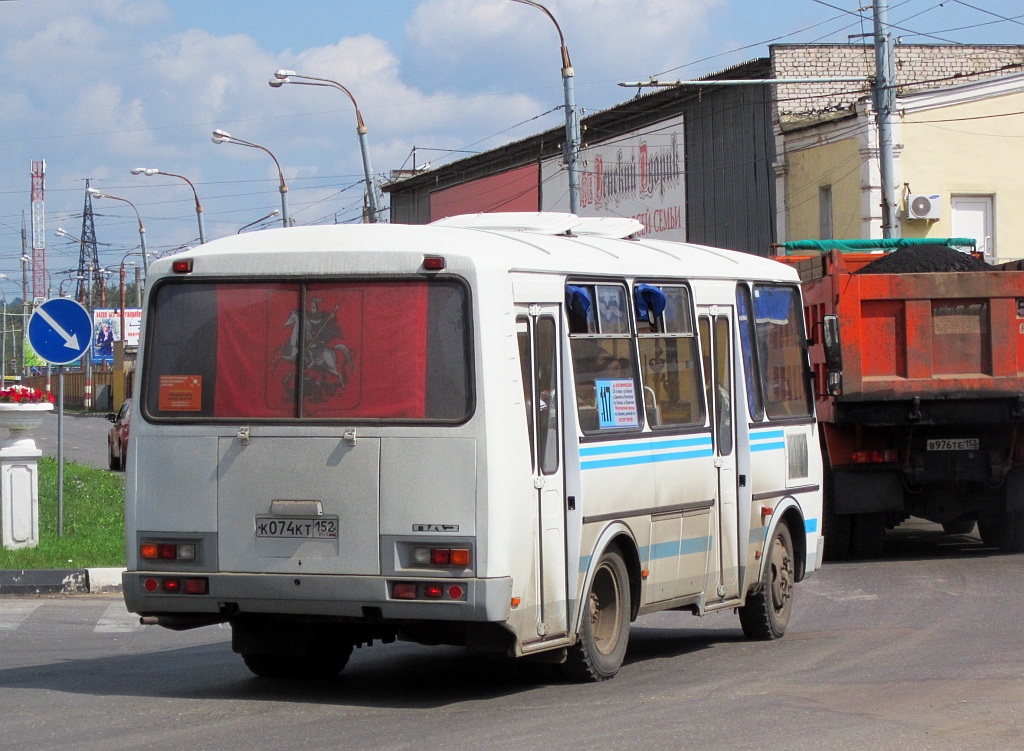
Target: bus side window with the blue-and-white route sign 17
x,y
604,358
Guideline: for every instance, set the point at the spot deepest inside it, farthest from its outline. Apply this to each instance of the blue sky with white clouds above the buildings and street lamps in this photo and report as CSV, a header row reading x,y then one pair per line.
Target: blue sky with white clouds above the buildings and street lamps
x,y
99,88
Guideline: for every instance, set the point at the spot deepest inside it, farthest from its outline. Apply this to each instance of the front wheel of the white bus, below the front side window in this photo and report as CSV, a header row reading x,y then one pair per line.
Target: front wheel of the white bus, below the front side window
x,y
766,613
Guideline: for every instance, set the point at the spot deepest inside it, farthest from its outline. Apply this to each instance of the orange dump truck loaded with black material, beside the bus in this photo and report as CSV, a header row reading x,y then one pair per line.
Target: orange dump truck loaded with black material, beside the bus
x,y
921,400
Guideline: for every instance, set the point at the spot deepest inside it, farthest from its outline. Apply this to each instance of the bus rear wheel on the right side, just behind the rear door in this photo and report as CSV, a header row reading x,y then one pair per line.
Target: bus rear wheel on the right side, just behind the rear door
x,y
599,653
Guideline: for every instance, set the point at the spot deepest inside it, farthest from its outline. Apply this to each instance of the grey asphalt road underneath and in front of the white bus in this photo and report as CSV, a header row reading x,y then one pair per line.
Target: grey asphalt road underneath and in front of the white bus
x,y
921,651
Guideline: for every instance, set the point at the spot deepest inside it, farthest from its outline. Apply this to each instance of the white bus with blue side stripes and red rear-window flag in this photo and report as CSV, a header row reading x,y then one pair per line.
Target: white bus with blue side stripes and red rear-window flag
x,y
515,433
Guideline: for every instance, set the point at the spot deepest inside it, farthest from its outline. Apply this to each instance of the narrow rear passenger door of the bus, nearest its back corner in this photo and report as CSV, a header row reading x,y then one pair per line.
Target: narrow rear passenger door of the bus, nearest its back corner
x,y
540,359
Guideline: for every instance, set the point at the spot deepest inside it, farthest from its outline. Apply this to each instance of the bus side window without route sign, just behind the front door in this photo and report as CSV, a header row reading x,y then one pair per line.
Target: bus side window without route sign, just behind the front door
x,y
669,359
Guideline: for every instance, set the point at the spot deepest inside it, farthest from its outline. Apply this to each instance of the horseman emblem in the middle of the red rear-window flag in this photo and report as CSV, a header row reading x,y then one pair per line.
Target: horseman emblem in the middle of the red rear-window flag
x,y
327,364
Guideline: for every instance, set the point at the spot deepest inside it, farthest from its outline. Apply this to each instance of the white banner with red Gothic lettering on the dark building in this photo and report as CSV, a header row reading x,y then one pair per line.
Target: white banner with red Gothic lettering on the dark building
x,y
641,176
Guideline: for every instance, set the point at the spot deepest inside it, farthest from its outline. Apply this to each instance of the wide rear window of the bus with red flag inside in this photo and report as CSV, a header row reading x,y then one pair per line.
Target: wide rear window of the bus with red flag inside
x,y
324,351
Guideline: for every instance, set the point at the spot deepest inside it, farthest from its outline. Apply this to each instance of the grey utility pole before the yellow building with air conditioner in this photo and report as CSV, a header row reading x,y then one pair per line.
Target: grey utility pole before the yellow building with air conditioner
x,y
884,100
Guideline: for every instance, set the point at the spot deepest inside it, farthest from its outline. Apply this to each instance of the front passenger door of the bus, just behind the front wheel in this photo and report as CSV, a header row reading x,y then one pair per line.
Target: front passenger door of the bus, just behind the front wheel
x,y
716,348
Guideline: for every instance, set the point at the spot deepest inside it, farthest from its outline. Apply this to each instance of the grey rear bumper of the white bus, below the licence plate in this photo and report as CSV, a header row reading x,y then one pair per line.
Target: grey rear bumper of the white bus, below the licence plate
x,y
359,598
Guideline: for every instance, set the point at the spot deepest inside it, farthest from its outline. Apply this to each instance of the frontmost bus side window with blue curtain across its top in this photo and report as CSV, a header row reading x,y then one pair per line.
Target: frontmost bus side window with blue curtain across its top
x,y
782,351
